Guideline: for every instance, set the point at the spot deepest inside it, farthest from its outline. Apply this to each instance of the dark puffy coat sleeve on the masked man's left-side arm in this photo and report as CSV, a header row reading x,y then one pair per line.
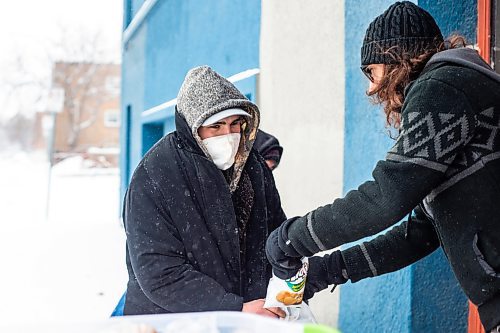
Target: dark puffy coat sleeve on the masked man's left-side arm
x,y
159,260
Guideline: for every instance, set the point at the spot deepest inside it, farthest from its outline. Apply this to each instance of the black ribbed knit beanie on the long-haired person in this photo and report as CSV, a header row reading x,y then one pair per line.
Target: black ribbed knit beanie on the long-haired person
x,y
404,28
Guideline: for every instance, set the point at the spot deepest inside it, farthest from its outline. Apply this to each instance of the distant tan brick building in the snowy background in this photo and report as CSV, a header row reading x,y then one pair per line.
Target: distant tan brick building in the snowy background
x,y
89,121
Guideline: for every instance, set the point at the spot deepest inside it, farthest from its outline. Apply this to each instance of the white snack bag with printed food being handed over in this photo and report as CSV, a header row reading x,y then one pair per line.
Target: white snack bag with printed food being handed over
x,y
289,292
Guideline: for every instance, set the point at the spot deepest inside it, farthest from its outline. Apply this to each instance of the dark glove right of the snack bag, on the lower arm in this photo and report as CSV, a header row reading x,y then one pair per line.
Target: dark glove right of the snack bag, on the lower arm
x,y
324,271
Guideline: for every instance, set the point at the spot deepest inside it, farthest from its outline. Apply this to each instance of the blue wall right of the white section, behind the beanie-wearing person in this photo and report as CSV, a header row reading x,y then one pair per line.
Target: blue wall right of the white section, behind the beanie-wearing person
x,y
424,297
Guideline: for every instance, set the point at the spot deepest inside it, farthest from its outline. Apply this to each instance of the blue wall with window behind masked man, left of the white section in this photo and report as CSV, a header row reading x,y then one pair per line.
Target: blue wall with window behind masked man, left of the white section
x,y
176,36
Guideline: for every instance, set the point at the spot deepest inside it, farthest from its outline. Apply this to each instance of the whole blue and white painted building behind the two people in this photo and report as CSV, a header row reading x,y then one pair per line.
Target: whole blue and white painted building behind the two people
x,y
299,61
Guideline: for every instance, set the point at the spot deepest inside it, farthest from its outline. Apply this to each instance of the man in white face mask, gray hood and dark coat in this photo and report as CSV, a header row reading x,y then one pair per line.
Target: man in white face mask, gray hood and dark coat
x,y
199,208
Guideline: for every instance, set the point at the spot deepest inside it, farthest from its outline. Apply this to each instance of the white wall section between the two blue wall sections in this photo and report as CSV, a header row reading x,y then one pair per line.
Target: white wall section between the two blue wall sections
x,y
301,97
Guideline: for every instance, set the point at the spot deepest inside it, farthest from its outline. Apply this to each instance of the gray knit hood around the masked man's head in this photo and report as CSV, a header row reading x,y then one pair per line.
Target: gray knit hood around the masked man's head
x,y
205,93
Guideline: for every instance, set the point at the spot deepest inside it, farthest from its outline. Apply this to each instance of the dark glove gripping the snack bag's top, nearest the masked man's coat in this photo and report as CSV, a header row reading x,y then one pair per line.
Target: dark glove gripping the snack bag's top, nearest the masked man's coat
x,y
284,259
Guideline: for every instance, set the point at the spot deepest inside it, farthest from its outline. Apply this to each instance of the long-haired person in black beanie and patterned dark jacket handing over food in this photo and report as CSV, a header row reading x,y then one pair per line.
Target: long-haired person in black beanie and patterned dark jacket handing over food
x,y
443,170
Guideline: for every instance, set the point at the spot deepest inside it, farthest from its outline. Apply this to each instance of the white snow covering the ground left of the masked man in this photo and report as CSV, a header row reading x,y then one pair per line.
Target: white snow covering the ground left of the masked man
x,y
69,265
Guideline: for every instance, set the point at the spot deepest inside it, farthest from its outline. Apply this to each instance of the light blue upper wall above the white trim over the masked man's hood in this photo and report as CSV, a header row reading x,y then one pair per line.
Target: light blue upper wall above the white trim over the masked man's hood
x,y
185,34
